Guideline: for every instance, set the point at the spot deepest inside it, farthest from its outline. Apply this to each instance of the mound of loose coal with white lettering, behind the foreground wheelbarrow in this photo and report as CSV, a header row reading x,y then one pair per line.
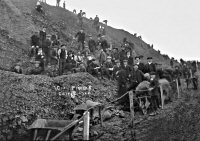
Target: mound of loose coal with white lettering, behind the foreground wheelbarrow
x,y
26,98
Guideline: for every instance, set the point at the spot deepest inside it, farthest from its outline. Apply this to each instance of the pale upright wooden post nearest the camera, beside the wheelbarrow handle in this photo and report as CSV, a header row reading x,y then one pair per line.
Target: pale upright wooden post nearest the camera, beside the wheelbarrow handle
x,y
86,129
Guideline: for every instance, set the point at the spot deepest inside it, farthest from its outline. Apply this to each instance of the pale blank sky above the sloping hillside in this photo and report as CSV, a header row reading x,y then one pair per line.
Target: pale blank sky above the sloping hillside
x,y
172,26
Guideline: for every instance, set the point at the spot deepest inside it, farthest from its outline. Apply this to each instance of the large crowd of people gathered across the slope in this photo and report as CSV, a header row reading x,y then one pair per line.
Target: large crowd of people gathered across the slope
x,y
97,57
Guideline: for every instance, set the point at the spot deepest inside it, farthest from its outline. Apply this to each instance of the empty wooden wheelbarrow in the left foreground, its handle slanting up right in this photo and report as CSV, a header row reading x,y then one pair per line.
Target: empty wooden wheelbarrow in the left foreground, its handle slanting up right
x,y
43,129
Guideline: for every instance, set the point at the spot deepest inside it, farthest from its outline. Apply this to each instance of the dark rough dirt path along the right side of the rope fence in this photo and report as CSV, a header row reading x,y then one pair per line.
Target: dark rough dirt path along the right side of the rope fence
x,y
177,121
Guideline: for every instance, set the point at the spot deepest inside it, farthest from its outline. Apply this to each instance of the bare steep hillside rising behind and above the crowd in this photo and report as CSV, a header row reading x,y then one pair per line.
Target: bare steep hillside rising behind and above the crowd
x,y
18,20
